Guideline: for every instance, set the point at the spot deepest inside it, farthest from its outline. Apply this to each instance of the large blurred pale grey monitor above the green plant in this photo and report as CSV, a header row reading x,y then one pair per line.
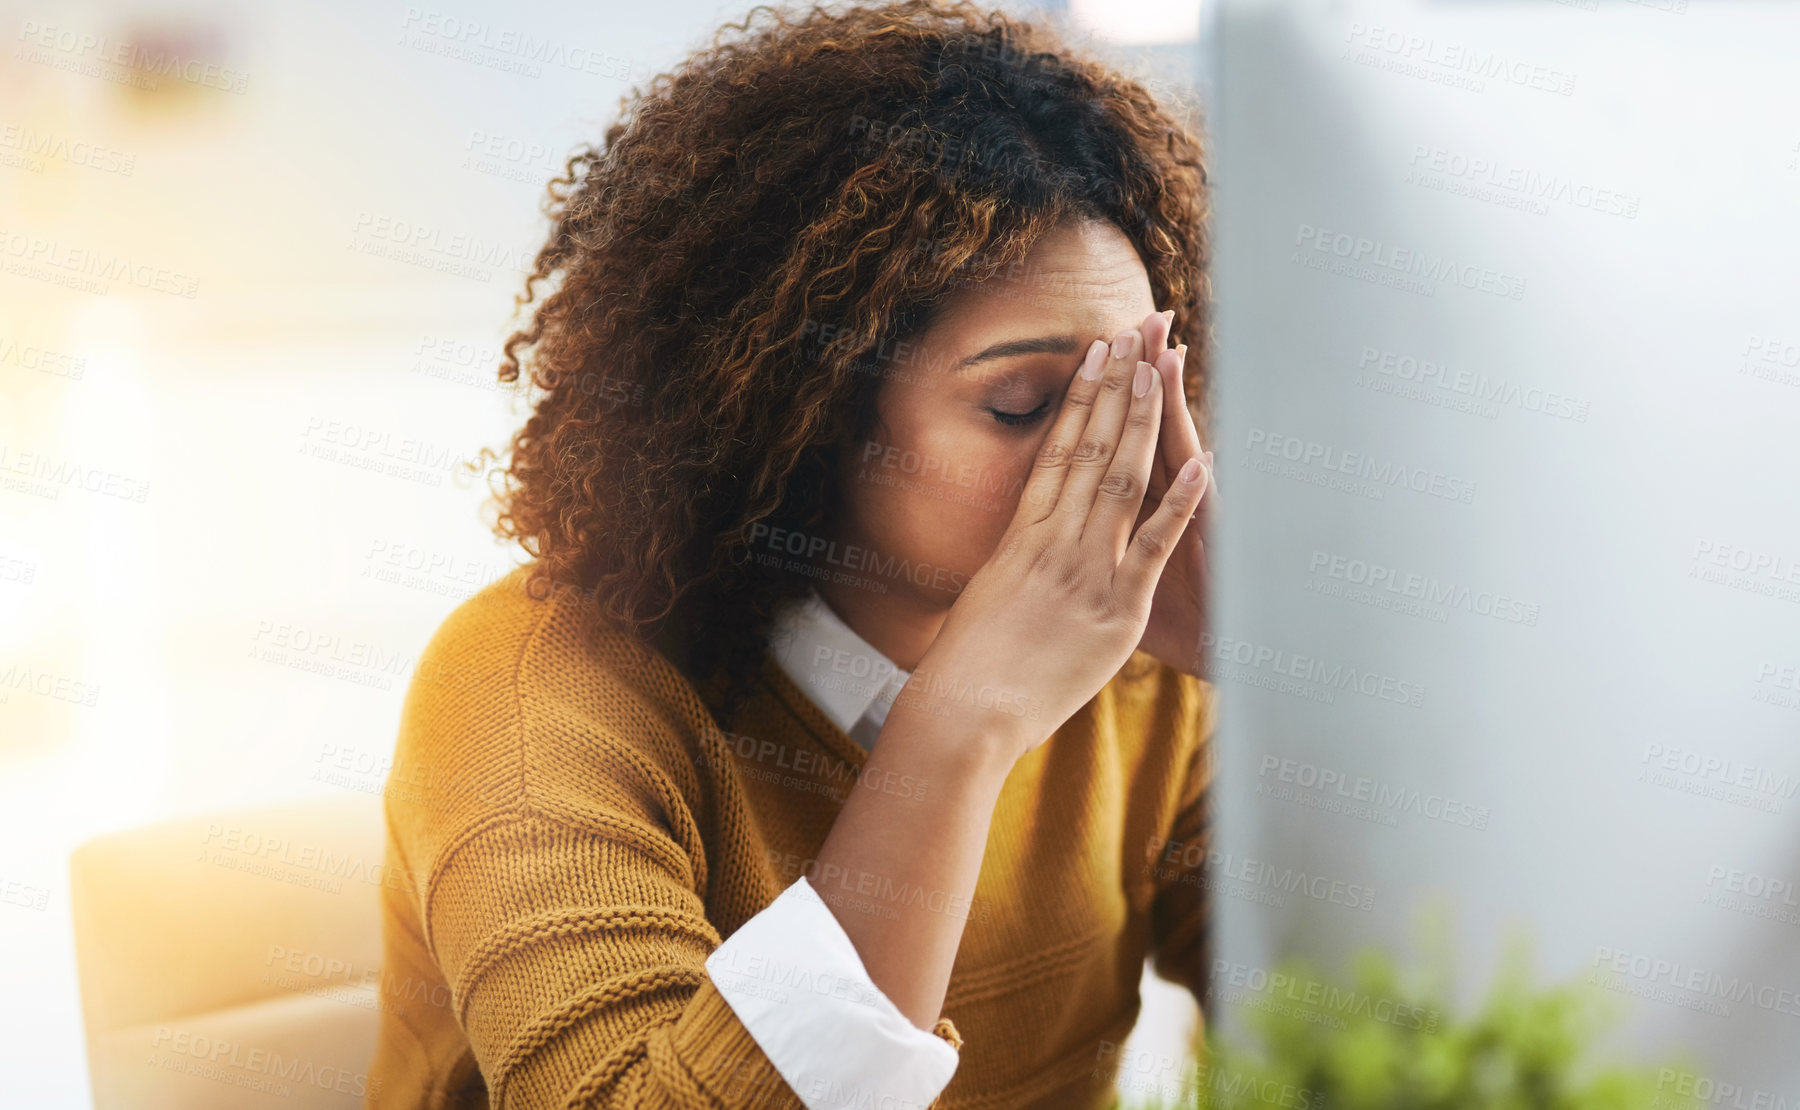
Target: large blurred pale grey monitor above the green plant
x,y
1509,425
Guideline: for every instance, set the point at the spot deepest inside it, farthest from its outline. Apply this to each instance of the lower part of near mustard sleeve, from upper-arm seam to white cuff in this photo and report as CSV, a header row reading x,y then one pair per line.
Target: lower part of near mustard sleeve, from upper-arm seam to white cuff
x,y
577,958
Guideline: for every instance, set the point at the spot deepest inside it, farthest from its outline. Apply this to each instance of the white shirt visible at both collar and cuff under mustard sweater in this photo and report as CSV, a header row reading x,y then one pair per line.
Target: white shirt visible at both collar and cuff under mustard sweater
x,y
843,1034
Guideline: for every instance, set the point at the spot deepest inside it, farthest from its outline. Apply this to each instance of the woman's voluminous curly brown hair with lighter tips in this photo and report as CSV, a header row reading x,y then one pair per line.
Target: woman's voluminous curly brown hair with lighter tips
x,y
764,222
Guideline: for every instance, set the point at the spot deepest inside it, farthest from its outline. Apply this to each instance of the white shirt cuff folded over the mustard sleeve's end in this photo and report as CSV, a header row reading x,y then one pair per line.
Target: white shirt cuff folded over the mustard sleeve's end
x,y
798,985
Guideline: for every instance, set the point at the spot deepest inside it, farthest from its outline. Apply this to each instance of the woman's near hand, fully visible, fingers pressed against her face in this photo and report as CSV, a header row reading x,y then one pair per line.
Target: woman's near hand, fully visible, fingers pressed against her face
x,y
1068,593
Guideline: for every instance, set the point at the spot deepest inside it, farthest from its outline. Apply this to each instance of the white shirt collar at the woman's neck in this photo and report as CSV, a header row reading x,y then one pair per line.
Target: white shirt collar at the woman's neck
x,y
841,672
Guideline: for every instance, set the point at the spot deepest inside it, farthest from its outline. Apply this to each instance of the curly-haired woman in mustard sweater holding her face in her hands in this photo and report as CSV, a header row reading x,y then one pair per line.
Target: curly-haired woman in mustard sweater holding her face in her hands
x,y
845,742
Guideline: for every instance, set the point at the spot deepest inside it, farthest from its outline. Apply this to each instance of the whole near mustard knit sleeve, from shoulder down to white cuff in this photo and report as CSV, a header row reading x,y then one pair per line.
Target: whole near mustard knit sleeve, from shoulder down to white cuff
x,y
561,834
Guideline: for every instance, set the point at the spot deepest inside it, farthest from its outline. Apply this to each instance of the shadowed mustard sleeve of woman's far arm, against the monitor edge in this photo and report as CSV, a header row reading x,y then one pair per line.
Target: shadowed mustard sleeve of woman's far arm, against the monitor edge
x,y
1182,911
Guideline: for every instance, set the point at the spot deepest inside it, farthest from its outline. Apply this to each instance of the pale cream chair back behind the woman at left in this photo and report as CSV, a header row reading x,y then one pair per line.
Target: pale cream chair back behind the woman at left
x,y
231,962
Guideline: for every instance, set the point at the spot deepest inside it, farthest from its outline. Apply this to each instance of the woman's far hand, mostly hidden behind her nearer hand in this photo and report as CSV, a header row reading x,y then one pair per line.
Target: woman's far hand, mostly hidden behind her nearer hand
x,y
1178,613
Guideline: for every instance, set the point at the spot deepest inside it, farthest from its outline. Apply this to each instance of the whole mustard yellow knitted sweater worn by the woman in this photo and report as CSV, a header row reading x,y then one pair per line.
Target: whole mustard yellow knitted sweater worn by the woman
x,y
580,836
